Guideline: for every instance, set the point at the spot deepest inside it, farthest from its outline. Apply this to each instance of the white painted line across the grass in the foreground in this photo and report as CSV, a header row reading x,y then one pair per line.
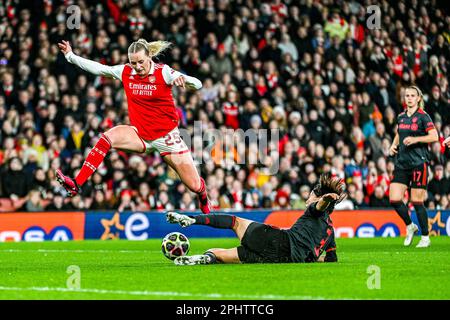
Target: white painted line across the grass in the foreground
x,y
166,293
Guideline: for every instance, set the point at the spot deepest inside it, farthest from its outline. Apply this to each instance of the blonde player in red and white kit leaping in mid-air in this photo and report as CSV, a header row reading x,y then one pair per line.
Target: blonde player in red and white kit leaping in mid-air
x,y
152,113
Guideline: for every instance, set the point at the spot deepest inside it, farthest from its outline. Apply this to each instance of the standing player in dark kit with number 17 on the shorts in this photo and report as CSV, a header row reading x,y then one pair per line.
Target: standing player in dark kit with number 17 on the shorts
x,y
415,131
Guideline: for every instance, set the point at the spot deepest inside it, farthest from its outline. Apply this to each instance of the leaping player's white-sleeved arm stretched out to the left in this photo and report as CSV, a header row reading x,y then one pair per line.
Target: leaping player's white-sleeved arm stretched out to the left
x,y
89,65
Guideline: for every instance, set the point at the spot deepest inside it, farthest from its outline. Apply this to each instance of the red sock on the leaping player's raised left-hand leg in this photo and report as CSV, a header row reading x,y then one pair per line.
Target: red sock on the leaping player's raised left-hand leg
x,y
93,160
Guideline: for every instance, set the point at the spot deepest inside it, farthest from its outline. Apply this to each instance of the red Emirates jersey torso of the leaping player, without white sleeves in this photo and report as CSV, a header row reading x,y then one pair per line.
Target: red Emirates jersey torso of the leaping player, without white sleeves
x,y
151,107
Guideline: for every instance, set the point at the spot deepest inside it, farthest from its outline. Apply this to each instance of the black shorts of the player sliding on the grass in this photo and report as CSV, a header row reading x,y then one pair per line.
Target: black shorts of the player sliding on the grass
x,y
262,243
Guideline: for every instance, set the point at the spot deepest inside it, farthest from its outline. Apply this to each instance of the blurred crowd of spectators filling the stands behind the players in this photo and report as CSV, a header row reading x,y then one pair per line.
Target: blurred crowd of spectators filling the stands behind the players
x,y
312,69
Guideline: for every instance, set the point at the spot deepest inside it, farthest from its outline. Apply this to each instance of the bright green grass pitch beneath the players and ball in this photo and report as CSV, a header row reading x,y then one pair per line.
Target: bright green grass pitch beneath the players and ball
x,y
138,270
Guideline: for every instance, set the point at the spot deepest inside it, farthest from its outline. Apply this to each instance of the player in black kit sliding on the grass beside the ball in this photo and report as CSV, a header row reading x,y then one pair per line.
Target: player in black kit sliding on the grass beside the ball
x,y
310,236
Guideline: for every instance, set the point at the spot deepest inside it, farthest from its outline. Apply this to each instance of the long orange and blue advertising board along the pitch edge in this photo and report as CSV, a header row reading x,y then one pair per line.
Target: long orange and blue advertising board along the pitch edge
x,y
64,226
